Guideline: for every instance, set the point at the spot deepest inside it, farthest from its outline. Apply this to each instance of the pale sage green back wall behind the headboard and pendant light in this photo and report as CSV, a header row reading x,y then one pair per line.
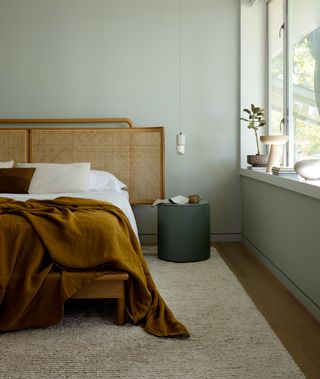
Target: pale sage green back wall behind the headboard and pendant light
x,y
67,58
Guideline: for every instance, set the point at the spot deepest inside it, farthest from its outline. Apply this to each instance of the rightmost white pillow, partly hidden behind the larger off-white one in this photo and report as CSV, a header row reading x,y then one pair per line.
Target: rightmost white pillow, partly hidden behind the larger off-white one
x,y
104,181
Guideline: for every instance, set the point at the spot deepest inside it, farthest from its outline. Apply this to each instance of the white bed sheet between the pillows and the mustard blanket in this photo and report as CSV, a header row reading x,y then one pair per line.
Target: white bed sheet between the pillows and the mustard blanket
x,y
119,199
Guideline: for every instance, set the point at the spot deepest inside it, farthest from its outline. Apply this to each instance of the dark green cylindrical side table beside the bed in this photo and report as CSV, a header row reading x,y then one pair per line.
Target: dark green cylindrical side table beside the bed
x,y
184,232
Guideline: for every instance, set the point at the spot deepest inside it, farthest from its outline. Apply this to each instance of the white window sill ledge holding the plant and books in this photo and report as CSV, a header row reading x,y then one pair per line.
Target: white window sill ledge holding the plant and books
x,y
306,187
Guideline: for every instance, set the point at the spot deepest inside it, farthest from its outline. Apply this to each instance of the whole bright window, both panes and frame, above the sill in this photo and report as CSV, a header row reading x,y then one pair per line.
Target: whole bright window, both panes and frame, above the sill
x,y
294,75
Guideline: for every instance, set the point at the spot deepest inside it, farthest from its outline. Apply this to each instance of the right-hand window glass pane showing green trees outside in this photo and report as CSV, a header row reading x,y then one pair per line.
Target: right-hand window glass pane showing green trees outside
x,y
305,77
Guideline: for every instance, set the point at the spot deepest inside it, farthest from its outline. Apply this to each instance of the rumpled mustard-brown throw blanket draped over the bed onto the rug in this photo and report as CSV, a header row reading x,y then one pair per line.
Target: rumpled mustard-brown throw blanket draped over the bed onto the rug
x,y
39,238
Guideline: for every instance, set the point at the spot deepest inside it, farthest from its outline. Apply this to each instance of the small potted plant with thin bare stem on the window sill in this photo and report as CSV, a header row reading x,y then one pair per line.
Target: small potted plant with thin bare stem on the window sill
x,y
255,120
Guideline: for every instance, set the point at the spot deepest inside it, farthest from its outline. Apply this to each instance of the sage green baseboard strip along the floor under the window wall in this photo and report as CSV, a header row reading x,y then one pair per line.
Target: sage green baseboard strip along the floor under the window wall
x,y
294,289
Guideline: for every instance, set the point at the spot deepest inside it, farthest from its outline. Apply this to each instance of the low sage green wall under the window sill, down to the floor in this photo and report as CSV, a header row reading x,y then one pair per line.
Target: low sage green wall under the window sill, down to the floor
x,y
282,228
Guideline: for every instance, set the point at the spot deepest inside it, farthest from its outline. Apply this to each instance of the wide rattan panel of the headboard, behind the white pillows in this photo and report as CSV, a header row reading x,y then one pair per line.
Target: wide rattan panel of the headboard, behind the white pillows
x,y
133,155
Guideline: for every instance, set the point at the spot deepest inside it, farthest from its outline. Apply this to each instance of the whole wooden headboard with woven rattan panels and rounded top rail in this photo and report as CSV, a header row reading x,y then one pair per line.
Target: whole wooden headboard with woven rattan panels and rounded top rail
x,y
134,154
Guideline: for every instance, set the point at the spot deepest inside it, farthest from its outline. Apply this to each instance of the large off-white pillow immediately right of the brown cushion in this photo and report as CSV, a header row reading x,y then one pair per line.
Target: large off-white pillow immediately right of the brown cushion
x,y
59,178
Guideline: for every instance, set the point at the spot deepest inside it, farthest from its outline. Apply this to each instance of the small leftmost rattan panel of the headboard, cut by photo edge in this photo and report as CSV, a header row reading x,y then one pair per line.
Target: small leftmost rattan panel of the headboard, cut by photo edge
x,y
14,145
